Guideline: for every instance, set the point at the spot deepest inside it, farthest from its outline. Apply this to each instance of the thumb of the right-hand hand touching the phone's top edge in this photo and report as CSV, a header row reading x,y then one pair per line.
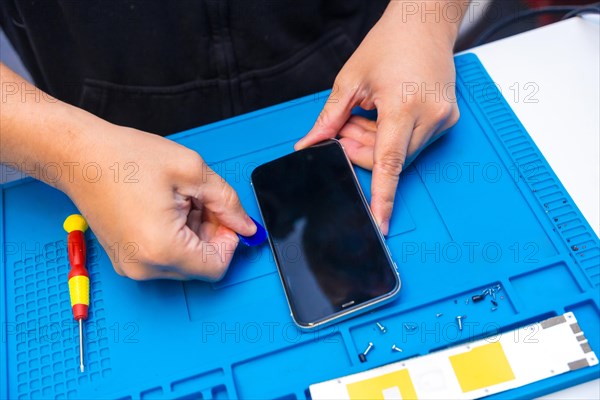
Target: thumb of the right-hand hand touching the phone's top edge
x,y
332,118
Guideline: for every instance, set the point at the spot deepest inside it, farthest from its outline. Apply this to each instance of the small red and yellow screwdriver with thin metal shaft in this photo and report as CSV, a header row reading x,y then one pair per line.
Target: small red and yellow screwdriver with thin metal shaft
x,y
79,281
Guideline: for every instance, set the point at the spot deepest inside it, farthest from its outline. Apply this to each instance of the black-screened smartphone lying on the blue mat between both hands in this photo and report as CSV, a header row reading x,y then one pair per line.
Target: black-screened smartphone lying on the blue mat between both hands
x,y
331,256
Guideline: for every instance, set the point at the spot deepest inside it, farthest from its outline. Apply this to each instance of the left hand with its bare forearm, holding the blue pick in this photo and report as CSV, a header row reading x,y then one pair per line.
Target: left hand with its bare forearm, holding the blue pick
x,y
157,209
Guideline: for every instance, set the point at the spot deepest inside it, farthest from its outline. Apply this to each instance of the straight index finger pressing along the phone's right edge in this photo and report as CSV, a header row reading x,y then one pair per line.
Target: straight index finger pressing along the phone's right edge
x,y
394,130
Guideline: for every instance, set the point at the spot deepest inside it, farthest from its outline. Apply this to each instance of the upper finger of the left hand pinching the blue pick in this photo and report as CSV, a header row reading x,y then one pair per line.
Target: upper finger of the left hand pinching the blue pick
x,y
217,196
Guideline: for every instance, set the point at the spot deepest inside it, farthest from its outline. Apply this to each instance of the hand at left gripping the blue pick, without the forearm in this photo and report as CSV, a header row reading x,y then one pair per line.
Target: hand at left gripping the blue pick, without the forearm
x,y
158,210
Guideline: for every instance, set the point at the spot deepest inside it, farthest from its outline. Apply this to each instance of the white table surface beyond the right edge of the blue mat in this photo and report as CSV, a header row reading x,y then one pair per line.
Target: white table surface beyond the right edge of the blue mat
x,y
562,61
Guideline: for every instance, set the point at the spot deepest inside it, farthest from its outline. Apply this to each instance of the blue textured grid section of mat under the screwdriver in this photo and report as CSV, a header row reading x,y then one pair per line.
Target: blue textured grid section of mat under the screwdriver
x,y
46,335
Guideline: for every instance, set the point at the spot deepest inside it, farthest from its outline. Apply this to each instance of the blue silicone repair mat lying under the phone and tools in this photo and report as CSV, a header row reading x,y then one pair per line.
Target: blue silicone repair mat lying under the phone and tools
x,y
480,207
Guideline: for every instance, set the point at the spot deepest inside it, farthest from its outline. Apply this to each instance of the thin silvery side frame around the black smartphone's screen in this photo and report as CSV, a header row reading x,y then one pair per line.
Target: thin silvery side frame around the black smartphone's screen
x,y
344,314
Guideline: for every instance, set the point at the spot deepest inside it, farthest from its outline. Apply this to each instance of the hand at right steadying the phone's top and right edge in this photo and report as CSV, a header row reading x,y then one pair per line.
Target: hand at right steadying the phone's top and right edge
x,y
405,69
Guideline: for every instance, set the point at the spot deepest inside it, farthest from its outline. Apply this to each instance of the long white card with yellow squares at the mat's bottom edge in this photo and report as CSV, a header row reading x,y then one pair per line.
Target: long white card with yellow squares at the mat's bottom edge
x,y
472,370
